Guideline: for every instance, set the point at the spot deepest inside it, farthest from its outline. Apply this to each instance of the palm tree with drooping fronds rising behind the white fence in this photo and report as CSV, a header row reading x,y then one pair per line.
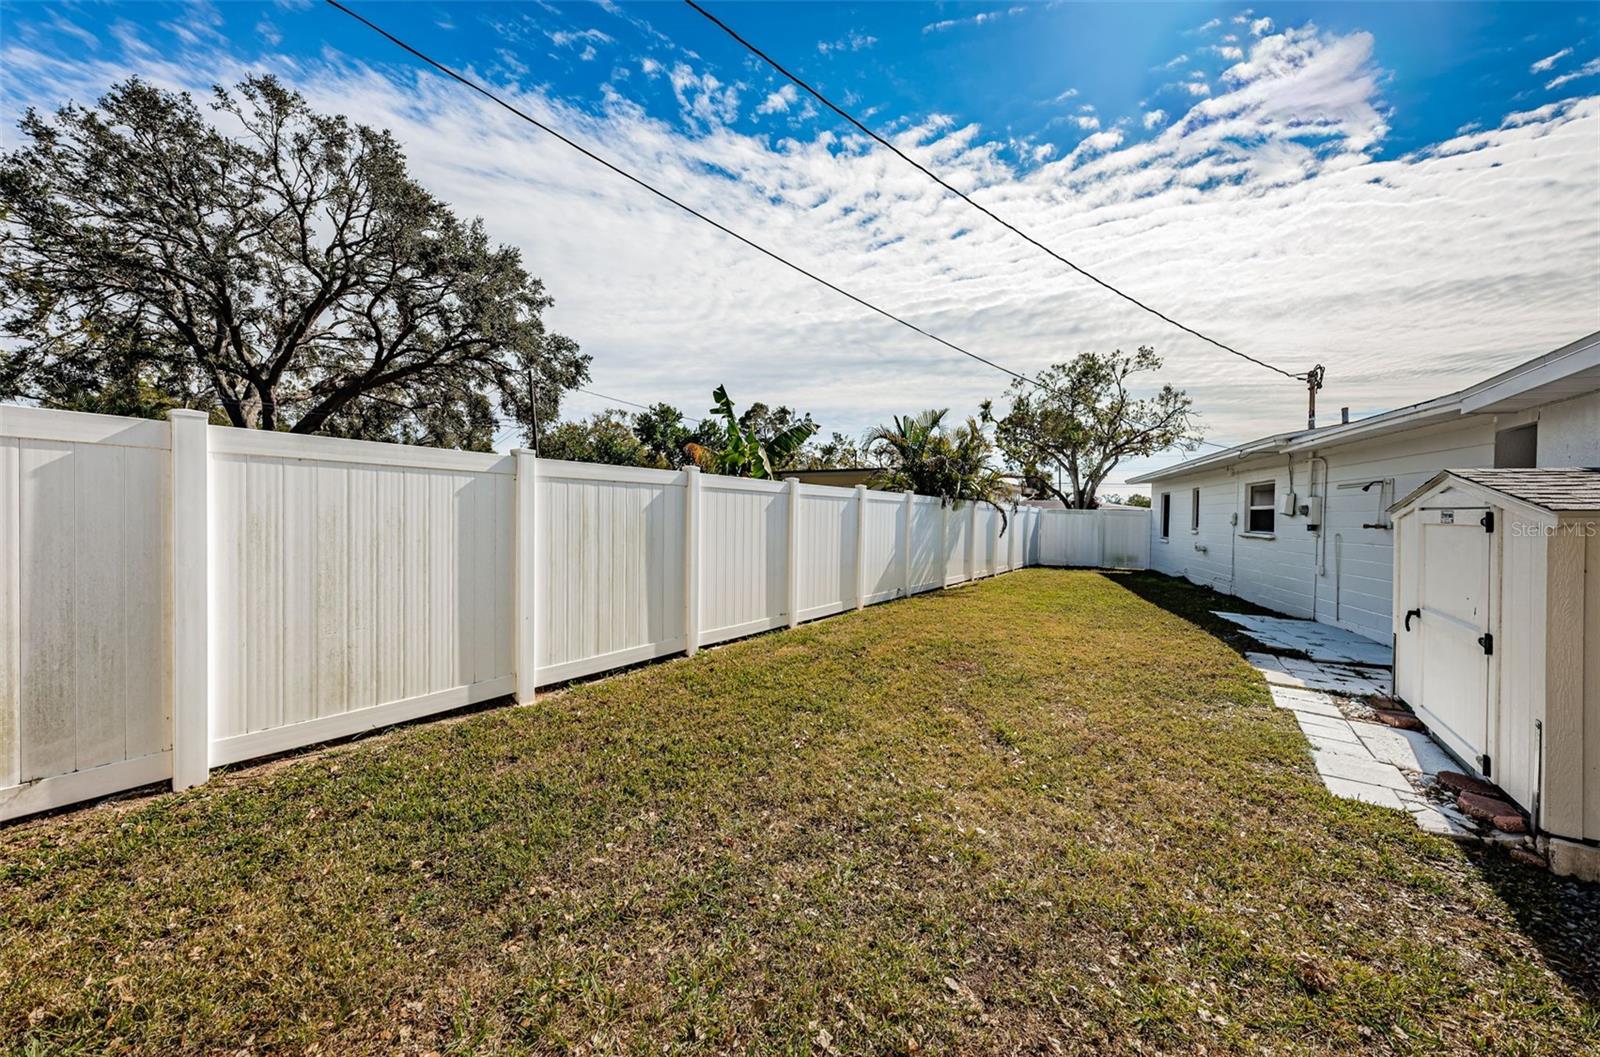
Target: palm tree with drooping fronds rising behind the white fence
x,y
918,453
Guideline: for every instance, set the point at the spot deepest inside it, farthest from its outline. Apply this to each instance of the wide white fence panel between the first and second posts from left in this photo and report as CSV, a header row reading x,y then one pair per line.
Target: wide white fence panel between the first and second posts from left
x,y
354,584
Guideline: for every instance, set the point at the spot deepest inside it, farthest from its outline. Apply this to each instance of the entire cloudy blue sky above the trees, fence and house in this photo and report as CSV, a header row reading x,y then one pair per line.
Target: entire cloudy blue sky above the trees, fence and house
x,y
1406,193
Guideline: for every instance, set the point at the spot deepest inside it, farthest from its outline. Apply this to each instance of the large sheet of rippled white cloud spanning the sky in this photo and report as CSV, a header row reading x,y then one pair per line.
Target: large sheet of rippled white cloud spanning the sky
x,y
1260,215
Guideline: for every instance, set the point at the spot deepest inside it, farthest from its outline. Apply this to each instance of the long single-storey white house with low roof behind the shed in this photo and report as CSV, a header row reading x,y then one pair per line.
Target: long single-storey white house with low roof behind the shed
x,y
1300,522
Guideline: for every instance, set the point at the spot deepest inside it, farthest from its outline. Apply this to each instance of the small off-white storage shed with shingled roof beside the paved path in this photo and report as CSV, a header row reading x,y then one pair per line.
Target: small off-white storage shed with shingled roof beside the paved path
x,y
1498,639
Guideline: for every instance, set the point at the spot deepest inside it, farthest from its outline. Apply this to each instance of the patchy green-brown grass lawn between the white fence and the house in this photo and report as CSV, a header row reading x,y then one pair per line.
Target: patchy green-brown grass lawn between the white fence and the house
x,y
1047,813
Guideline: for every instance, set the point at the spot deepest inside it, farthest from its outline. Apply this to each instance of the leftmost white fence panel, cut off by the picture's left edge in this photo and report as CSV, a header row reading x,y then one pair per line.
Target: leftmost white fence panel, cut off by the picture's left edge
x,y
86,656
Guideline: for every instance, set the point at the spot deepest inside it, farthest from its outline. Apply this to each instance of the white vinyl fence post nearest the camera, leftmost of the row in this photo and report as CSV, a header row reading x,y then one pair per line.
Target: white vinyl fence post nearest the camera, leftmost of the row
x,y
191,532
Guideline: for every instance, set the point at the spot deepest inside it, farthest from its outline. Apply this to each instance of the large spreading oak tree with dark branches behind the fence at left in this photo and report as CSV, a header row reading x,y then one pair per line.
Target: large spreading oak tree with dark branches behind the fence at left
x,y
276,266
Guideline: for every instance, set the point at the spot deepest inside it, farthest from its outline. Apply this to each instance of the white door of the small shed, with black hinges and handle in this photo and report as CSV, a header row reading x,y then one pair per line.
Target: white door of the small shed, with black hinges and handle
x,y
1455,602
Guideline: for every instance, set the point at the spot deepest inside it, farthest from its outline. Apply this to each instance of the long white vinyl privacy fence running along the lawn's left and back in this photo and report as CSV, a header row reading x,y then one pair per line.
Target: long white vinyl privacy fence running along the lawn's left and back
x,y
177,596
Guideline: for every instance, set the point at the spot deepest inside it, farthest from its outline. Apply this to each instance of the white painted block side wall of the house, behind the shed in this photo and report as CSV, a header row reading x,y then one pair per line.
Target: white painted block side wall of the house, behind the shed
x,y
1342,575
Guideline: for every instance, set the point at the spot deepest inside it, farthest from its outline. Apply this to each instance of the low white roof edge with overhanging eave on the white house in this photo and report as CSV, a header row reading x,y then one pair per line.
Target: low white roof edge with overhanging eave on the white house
x,y
1567,372
